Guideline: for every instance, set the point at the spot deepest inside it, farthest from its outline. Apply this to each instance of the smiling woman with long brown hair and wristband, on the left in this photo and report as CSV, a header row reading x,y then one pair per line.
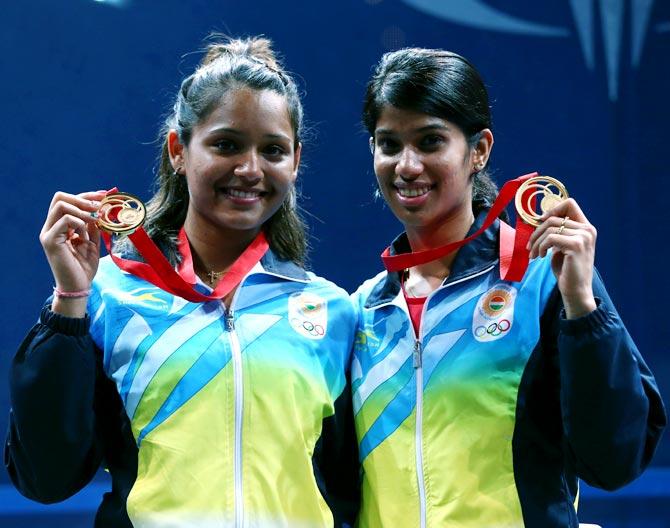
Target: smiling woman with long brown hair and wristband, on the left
x,y
234,411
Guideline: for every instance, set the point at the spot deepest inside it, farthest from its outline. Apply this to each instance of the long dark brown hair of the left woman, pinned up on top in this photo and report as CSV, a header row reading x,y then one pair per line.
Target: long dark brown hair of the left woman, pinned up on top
x,y
227,65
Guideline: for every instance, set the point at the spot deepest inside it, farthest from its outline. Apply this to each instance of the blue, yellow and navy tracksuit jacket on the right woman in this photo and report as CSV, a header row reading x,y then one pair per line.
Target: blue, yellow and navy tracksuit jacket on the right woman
x,y
490,415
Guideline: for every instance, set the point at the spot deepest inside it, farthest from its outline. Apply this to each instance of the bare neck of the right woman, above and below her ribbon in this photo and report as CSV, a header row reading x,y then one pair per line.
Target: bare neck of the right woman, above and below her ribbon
x,y
423,238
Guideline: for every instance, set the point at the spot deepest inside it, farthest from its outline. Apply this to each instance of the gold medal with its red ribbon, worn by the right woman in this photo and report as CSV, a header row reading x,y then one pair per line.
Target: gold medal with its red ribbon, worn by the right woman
x,y
514,256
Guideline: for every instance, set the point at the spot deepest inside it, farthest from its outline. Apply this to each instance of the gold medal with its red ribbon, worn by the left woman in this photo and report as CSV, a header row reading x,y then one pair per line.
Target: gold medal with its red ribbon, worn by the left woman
x,y
114,218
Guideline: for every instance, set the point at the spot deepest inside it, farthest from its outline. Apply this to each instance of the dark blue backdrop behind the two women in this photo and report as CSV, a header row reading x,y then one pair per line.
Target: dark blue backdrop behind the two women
x,y
85,83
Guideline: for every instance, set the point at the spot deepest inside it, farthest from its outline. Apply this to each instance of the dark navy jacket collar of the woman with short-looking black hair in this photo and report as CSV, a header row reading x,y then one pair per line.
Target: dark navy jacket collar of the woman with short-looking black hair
x,y
479,254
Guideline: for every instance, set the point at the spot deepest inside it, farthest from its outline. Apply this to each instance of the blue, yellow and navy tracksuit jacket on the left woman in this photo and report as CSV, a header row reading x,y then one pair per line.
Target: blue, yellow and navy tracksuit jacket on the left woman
x,y
203,417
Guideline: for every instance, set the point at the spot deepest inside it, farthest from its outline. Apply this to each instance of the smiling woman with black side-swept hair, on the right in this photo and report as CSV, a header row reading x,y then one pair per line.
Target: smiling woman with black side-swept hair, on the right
x,y
481,401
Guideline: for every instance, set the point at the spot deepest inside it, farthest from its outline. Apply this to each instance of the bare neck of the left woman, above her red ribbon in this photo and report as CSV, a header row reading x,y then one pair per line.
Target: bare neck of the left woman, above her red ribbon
x,y
215,249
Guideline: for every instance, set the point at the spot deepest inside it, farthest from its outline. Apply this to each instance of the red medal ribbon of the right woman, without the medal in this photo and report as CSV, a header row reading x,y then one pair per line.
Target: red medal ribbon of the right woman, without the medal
x,y
513,252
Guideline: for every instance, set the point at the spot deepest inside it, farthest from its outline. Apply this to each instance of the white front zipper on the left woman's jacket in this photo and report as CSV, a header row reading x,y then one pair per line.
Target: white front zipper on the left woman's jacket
x,y
239,406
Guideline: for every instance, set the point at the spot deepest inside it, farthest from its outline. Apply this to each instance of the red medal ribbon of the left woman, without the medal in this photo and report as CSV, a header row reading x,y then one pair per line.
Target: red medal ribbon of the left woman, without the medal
x,y
157,270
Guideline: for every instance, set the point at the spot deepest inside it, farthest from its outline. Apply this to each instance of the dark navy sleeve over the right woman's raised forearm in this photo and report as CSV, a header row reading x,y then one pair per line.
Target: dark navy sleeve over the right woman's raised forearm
x,y
612,413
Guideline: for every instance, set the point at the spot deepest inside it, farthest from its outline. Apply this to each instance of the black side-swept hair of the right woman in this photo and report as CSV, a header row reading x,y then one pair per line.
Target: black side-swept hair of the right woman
x,y
438,83
